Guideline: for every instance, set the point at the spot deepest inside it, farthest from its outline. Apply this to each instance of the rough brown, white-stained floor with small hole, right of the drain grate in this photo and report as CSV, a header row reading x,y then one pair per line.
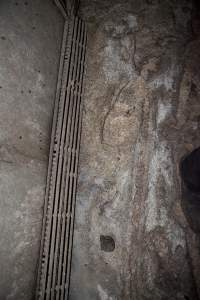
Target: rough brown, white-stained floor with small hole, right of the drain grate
x,y
141,116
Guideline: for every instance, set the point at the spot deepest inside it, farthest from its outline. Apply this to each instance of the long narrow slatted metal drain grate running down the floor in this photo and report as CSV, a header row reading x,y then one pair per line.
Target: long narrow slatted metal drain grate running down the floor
x,y
58,222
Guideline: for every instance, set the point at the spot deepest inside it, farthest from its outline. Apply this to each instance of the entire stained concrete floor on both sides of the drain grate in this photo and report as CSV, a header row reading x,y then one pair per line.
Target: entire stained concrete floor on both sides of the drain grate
x,y
141,116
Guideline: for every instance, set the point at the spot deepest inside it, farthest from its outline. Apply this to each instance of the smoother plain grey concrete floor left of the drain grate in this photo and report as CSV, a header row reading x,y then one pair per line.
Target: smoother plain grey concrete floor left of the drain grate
x,y
30,39
